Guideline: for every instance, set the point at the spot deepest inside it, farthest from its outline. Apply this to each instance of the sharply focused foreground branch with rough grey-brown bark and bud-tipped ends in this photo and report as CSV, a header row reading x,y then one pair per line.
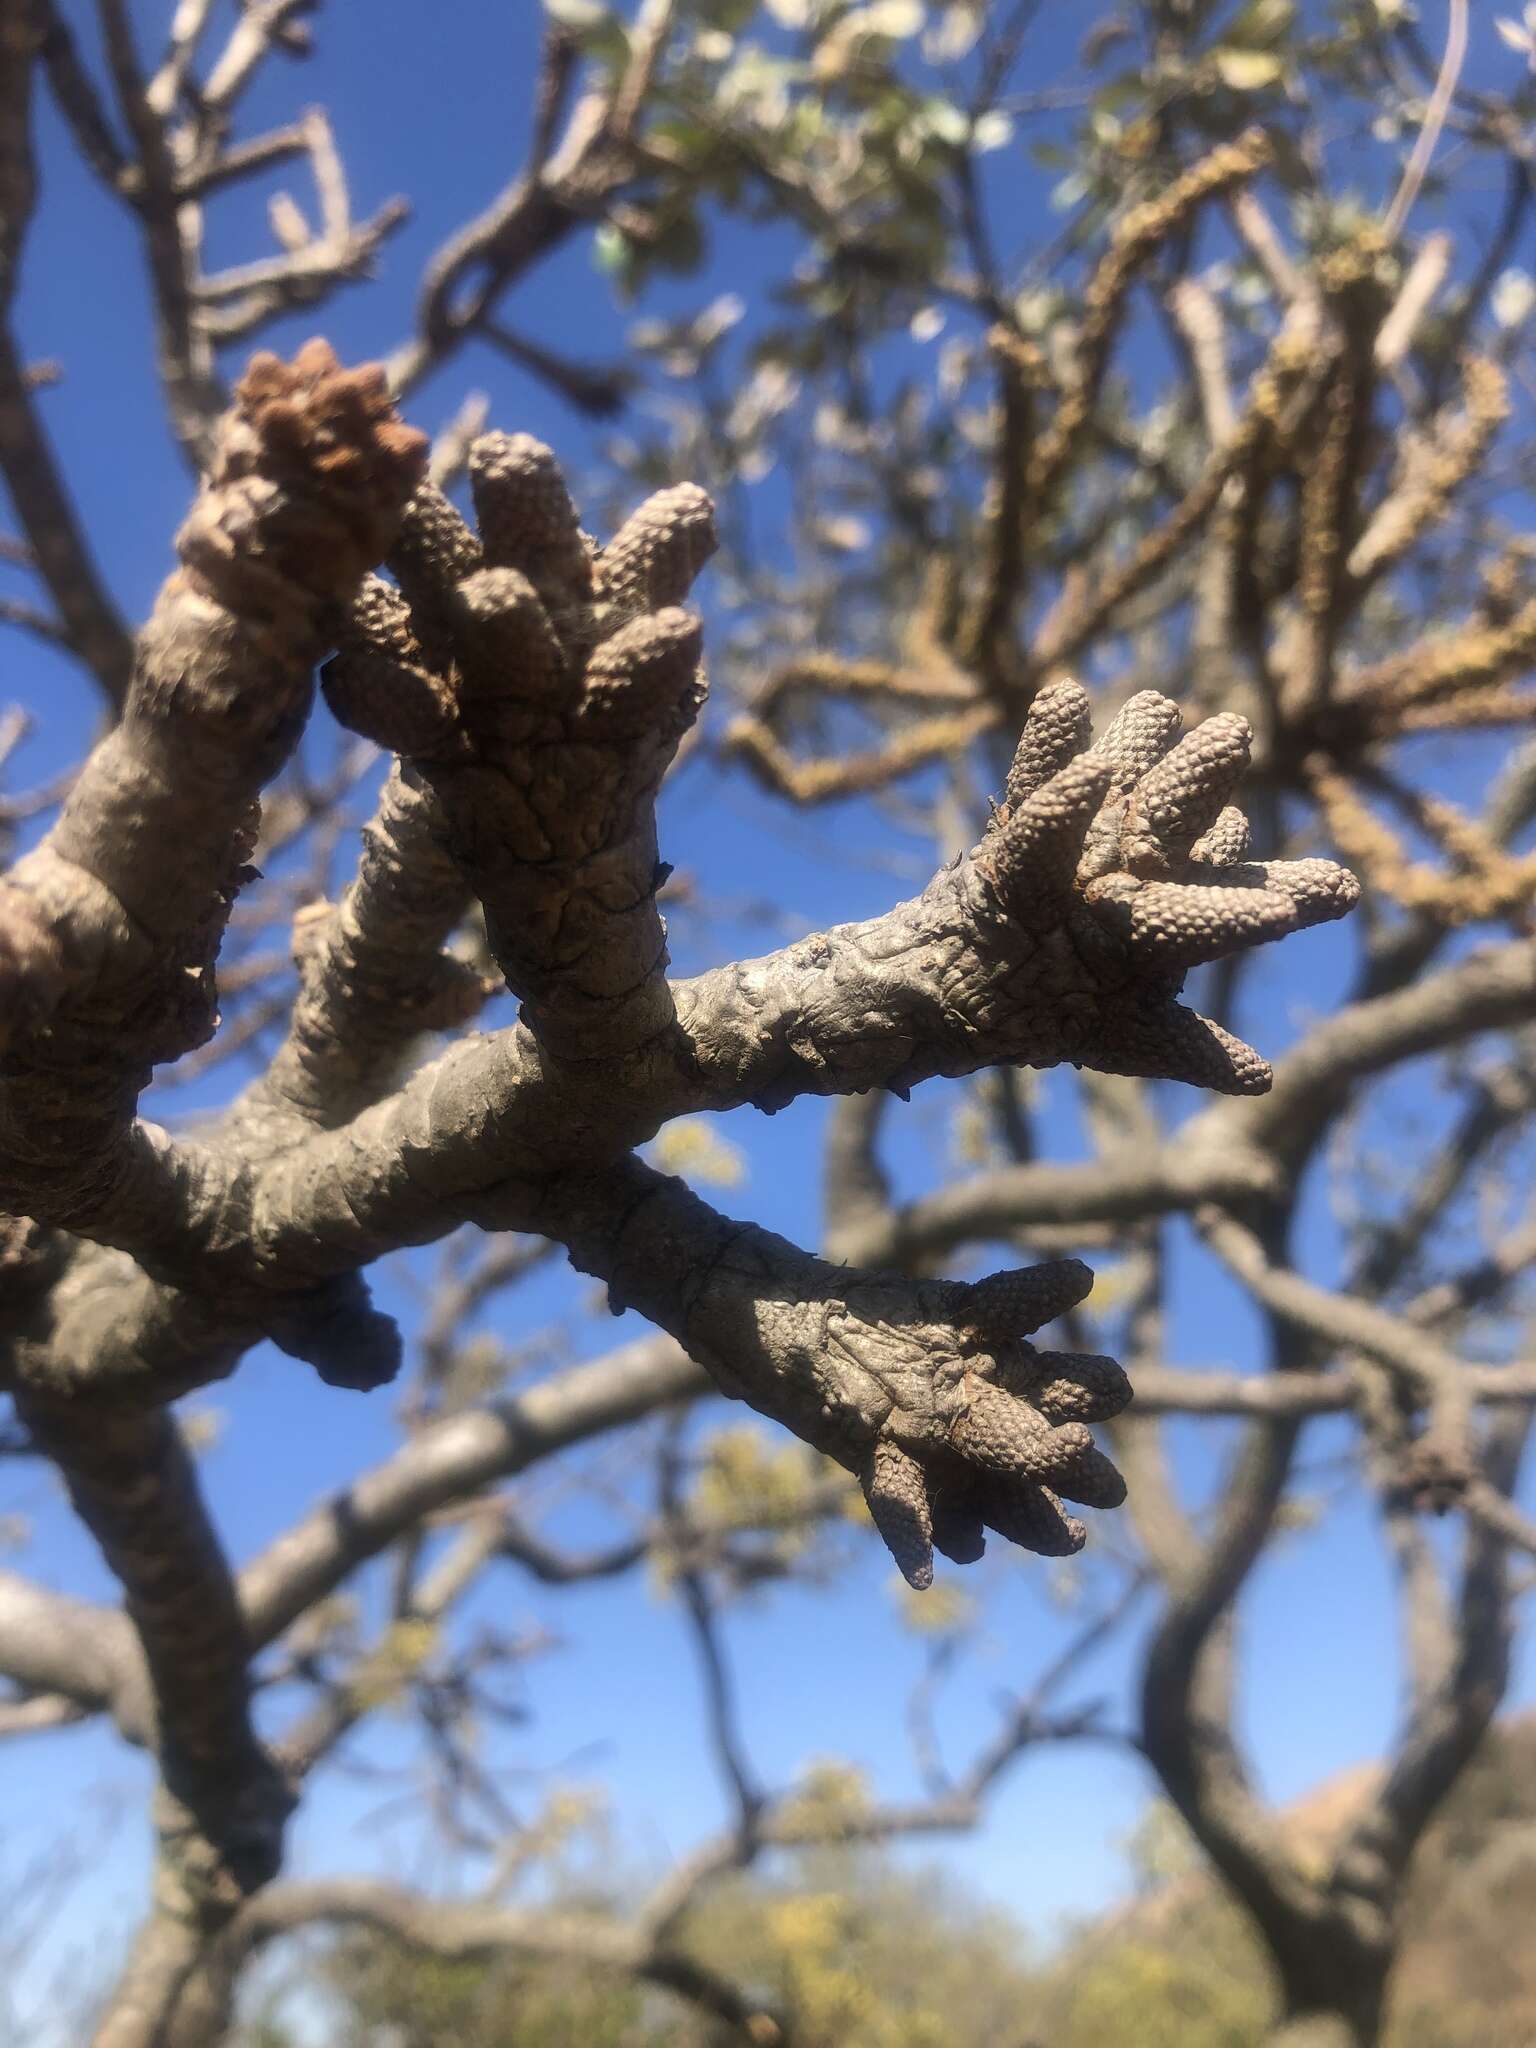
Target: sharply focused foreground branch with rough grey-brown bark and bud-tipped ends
x,y
536,687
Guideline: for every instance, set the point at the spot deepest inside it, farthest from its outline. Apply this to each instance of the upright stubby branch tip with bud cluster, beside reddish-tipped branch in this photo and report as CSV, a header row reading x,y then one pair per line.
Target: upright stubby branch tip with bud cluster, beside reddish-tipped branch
x,y
540,685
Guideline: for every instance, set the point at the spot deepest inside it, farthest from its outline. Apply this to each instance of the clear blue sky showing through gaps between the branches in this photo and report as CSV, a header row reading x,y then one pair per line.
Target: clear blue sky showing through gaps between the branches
x,y
433,103
